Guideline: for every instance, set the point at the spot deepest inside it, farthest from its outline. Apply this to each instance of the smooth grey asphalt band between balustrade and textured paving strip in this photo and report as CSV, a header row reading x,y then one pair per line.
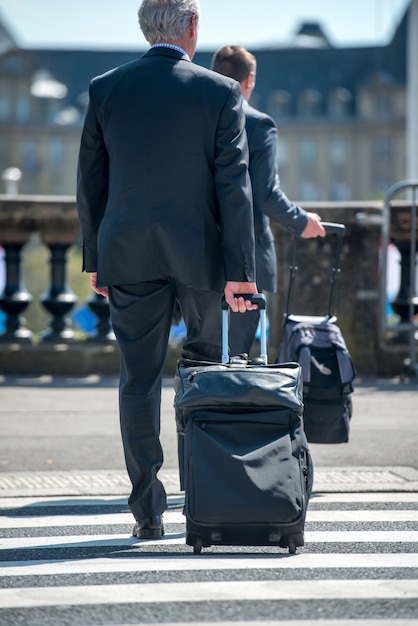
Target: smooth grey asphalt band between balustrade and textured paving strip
x,y
72,424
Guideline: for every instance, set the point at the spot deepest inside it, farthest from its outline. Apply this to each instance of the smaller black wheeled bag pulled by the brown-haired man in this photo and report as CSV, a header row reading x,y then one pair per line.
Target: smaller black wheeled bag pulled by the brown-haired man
x,y
316,342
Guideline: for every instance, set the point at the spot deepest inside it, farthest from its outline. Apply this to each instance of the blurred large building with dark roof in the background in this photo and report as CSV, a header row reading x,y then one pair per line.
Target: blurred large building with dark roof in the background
x,y
340,112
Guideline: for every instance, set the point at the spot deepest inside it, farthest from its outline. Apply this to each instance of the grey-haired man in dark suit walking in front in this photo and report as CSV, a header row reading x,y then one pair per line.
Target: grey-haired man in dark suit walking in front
x,y
165,210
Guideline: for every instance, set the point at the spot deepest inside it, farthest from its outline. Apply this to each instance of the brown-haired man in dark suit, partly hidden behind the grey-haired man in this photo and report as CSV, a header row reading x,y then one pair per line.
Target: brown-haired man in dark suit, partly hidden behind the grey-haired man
x,y
268,199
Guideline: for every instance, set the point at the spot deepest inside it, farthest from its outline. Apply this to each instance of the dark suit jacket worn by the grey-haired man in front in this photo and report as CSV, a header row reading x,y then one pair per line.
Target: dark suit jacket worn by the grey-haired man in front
x,y
163,186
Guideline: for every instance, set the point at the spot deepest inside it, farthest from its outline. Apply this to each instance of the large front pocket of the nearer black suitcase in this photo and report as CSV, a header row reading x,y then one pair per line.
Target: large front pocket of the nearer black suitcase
x,y
241,470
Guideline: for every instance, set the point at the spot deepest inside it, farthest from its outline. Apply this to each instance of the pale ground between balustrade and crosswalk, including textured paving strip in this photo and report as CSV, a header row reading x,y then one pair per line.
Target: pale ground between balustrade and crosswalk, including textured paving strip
x,y
60,436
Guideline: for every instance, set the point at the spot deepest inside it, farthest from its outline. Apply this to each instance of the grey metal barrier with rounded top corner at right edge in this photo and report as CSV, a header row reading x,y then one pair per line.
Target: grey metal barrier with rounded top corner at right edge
x,y
399,226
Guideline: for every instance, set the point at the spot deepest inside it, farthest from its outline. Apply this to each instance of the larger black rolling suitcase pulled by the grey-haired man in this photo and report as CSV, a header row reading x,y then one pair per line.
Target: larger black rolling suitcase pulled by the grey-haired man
x,y
247,468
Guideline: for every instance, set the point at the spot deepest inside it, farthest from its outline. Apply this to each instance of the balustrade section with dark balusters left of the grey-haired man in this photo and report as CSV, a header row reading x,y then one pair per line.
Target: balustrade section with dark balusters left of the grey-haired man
x,y
55,219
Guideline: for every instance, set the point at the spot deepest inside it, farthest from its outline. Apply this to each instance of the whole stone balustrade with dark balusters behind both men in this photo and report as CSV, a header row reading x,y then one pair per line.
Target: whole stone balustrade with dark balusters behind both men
x,y
59,350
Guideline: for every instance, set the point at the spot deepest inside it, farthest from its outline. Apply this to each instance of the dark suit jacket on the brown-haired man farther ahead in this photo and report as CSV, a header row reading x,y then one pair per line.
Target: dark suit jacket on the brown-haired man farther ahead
x,y
269,200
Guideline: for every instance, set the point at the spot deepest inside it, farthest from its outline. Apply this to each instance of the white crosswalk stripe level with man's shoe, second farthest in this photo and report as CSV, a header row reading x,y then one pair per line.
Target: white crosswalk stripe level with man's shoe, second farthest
x,y
176,517
